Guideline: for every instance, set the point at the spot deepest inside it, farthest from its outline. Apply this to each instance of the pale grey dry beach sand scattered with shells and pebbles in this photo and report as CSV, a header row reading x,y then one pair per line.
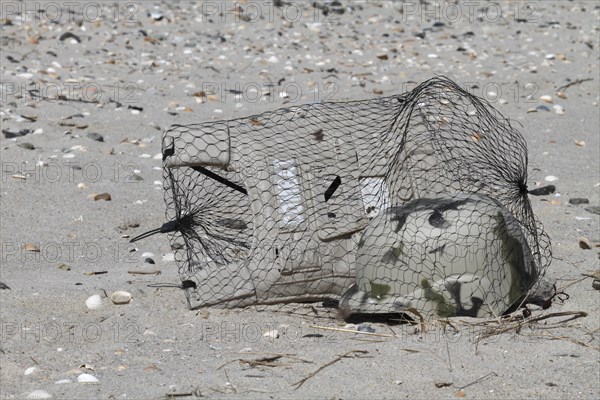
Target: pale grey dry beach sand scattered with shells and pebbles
x,y
153,57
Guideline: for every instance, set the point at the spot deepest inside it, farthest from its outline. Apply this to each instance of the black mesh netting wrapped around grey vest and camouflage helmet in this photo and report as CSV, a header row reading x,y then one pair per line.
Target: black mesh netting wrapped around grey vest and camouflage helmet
x,y
416,200
